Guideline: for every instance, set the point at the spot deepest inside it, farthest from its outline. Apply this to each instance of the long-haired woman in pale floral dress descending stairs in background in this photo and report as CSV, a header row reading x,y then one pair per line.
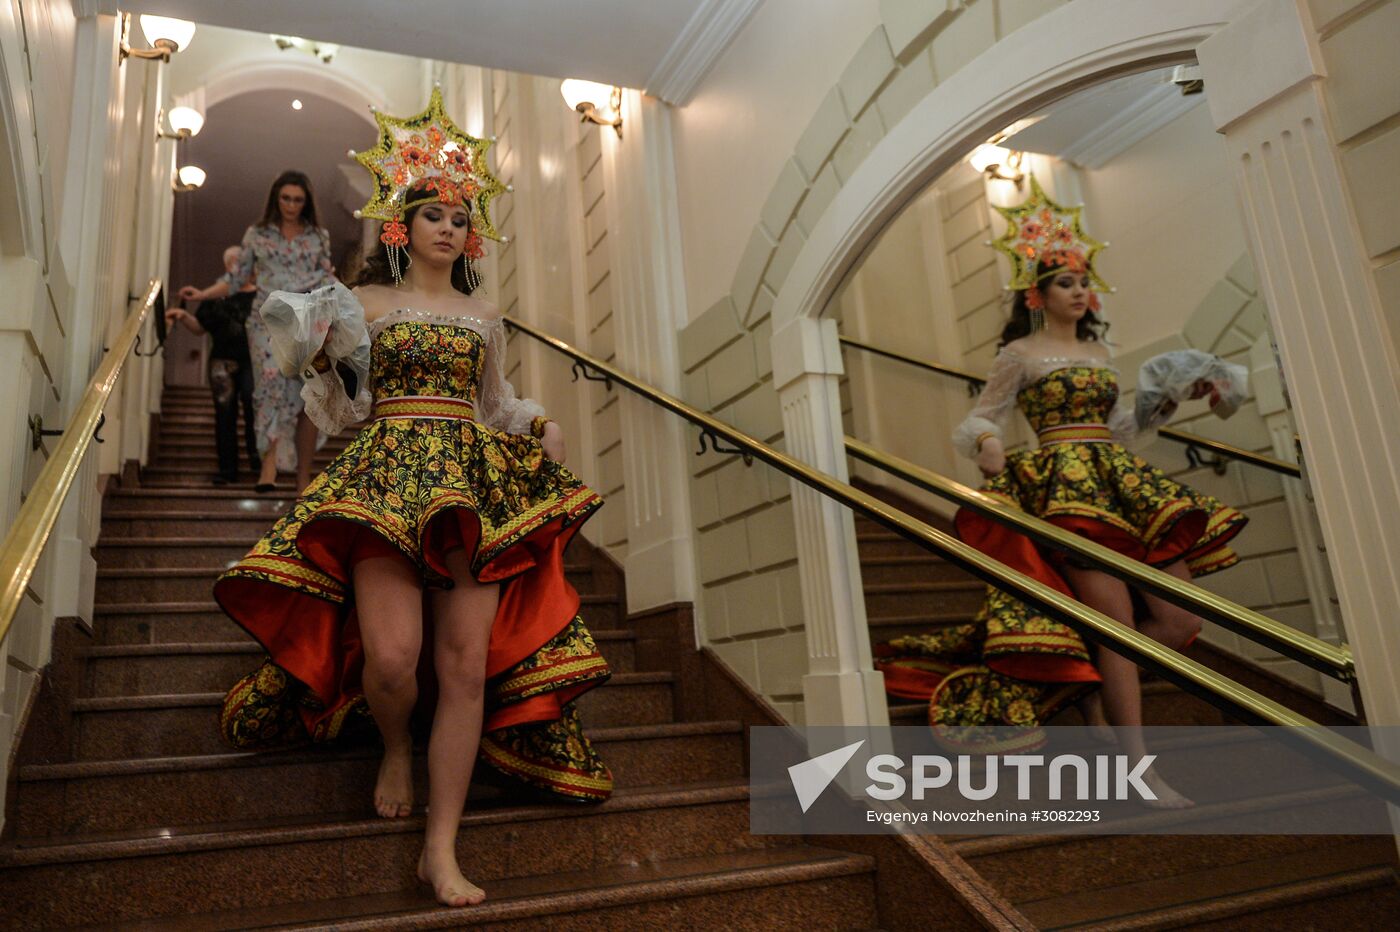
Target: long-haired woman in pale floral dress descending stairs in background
x,y
286,251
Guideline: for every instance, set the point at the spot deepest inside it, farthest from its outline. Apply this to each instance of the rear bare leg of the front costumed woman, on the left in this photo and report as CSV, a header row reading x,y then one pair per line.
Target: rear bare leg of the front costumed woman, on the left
x,y
390,600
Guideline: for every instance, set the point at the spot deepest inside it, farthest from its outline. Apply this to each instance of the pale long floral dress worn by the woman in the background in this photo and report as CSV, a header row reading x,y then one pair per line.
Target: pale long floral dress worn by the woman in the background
x,y
276,264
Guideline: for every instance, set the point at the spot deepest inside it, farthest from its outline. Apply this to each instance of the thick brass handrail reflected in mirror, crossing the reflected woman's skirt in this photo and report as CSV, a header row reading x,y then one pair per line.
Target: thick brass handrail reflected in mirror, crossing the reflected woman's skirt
x,y
1332,660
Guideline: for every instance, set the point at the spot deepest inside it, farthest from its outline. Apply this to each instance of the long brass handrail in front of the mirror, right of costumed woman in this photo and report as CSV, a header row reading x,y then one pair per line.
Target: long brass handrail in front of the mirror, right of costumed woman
x,y
1359,763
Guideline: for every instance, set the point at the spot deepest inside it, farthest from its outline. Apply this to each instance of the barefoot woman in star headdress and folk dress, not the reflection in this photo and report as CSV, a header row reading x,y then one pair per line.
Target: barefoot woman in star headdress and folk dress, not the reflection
x,y
457,490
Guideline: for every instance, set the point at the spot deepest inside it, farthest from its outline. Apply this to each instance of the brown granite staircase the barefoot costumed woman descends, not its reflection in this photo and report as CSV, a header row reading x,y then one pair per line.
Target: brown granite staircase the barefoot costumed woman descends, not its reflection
x,y
145,819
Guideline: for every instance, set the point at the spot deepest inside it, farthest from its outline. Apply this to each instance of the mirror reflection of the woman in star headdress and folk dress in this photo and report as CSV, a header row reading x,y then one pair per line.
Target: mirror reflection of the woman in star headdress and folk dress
x,y
1014,665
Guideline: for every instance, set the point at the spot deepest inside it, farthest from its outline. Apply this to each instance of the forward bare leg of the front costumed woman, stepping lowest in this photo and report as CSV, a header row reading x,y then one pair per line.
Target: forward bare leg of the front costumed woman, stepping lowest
x,y
463,622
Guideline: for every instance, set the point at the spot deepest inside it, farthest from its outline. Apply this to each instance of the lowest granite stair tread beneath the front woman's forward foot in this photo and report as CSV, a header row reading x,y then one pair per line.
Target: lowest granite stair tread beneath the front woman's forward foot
x,y
551,898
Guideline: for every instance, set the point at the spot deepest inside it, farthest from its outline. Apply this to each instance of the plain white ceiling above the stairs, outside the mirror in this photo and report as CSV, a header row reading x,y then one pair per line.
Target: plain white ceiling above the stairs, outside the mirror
x,y
661,47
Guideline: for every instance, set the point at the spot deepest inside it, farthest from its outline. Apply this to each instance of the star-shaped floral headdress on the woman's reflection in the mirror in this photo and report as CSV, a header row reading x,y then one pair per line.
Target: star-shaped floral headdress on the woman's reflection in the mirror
x,y
1042,233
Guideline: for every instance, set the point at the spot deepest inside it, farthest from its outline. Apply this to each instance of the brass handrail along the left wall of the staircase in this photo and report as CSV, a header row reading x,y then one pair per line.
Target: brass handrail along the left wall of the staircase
x,y
27,538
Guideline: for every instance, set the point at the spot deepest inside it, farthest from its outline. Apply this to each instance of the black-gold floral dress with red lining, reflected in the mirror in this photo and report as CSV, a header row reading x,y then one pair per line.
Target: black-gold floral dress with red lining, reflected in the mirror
x,y
1014,665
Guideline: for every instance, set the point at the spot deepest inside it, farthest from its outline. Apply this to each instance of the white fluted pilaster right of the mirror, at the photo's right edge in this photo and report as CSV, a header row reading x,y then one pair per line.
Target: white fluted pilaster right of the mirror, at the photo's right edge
x,y
1265,86
